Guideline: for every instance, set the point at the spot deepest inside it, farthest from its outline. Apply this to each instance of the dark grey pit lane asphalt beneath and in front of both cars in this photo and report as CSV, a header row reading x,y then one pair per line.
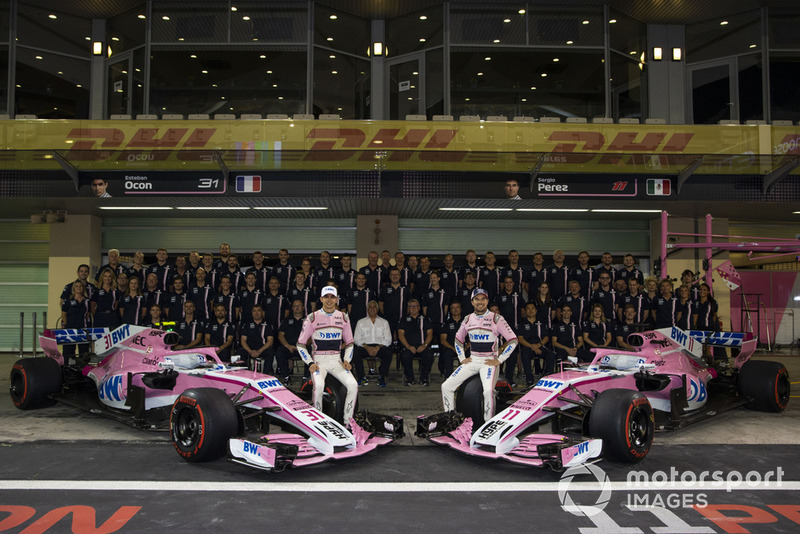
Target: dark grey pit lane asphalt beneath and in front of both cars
x,y
57,457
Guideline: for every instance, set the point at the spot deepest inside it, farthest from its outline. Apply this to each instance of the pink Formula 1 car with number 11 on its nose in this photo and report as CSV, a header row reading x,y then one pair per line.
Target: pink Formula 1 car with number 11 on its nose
x,y
612,406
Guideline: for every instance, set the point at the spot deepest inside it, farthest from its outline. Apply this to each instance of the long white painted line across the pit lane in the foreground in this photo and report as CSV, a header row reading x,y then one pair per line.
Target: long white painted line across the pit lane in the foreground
x,y
381,487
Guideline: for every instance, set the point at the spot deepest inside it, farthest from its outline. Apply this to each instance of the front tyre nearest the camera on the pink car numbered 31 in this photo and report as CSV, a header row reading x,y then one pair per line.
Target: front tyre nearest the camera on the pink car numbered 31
x,y
201,423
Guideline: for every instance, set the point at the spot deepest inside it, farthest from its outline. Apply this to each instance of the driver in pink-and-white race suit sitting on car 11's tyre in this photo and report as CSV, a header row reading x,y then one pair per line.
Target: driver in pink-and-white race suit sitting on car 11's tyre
x,y
483,329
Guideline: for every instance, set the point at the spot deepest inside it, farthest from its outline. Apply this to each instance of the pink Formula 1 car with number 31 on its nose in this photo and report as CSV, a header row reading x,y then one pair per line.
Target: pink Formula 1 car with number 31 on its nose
x,y
209,408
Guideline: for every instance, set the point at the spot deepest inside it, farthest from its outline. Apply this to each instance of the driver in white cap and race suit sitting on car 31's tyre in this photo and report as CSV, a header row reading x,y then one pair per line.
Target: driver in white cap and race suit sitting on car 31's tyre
x,y
328,329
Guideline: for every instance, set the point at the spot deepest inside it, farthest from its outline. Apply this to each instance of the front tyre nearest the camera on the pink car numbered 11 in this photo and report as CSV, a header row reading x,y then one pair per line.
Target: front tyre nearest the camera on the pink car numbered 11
x,y
624,420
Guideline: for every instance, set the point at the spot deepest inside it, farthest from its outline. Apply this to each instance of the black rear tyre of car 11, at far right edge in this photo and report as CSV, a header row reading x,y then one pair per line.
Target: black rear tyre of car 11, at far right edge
x,y
767,383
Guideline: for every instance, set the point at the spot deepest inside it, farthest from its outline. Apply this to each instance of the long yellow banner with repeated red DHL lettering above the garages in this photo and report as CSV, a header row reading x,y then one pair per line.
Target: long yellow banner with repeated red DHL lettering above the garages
x,y
250,146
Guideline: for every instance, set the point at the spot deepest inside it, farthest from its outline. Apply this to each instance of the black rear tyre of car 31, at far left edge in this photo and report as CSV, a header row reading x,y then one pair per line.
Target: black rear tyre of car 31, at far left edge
x,y
34,381
